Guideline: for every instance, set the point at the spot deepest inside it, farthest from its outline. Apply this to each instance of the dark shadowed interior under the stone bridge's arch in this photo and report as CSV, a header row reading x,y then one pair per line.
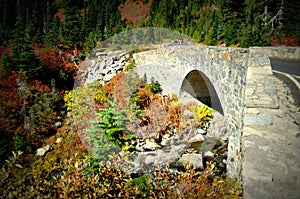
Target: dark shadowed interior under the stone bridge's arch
x,y
197,85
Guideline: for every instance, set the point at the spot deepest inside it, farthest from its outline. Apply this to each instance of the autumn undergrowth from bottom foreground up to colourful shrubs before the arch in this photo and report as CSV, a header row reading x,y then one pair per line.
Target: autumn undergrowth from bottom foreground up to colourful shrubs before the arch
x,y
72,171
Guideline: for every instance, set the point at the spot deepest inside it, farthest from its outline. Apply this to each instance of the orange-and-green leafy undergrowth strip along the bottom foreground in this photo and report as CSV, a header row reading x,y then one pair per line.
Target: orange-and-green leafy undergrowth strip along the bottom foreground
x,y
78,177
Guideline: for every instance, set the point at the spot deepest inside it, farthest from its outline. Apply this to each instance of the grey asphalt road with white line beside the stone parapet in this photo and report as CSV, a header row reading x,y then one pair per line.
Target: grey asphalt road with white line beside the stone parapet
x,y
289,72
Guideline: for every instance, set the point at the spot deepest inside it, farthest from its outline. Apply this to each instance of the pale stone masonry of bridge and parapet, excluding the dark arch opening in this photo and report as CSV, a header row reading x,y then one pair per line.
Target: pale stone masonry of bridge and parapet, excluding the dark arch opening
x,y
246,88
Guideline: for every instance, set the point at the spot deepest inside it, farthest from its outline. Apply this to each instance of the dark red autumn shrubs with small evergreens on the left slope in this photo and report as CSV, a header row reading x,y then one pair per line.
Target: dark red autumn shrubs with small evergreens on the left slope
x,y
31,105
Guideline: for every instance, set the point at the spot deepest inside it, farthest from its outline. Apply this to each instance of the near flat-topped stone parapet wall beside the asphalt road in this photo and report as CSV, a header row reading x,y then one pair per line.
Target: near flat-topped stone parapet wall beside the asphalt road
x,y
260,121
